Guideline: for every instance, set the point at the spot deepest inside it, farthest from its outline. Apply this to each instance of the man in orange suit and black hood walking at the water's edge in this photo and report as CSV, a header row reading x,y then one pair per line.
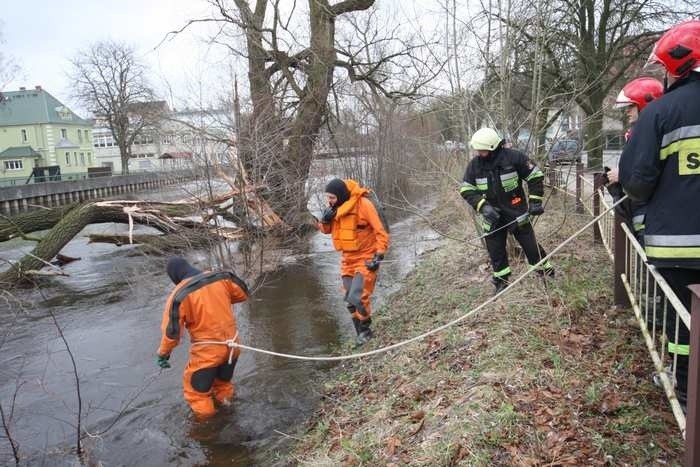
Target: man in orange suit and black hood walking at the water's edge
x,y
357,230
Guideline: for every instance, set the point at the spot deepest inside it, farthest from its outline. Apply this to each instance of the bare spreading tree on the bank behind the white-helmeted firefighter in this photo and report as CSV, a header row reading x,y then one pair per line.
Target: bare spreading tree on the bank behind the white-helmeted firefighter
x,y
587,48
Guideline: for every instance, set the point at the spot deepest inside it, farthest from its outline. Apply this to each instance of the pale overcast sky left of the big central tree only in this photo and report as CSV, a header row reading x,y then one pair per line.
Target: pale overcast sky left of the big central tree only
x,y
42,35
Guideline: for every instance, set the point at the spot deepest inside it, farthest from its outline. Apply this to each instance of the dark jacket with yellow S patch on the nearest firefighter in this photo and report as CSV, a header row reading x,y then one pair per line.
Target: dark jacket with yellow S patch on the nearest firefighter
x,y
661,165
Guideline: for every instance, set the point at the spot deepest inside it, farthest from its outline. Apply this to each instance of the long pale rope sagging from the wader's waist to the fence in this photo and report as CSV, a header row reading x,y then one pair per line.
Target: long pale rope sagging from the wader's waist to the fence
x,y
435,330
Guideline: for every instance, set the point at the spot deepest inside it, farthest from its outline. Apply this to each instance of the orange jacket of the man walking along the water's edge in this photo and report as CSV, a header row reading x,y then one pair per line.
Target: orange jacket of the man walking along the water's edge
x,y
356,228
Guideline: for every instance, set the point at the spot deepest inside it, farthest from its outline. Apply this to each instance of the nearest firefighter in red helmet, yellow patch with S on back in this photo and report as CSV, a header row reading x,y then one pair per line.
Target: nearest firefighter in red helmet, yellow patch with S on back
x,y
660,165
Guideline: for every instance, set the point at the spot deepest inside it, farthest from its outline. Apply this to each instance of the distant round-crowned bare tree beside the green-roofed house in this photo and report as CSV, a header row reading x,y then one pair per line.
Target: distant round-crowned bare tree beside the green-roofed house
x,y
111,82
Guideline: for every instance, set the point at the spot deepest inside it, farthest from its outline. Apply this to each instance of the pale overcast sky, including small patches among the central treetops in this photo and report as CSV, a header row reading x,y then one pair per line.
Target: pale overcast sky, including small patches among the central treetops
x,y
43,35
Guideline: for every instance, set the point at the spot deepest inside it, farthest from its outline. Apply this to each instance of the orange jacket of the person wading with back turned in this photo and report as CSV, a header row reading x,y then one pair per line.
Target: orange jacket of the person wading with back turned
x,y
205,312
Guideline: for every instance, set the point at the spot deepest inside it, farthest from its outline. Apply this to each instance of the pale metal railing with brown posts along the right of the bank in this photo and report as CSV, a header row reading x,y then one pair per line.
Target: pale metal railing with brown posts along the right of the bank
x,y
639,286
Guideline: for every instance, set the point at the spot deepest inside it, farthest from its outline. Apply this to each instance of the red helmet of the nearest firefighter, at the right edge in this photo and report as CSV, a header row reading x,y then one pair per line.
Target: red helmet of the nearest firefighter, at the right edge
x,y
678,50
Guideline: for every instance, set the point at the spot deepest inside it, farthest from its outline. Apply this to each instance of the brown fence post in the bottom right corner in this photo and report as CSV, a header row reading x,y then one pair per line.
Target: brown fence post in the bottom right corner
x,y
692,428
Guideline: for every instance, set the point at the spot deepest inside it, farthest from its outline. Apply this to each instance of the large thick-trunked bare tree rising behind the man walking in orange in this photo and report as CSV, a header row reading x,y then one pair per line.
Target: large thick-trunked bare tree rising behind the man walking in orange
x,y
290,83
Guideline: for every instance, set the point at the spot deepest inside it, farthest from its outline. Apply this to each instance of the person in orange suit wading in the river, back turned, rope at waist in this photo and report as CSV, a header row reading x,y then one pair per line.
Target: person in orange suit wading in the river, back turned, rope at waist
x,y
201,302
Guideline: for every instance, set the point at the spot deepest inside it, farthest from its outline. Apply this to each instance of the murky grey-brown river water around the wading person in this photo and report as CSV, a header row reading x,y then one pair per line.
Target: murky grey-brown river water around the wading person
x,y
109,309
